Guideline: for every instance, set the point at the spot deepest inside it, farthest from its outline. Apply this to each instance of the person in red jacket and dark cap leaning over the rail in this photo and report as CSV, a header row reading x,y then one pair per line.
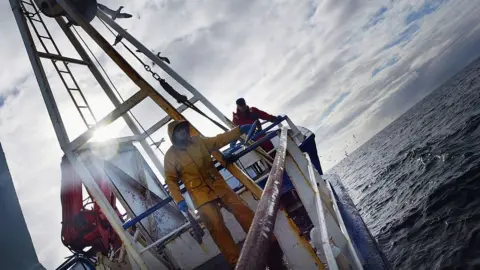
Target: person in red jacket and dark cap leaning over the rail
x,y
248,115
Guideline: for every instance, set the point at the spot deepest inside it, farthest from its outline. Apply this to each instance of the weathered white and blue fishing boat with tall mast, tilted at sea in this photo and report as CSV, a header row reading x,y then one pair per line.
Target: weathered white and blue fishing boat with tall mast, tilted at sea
x,y
116,211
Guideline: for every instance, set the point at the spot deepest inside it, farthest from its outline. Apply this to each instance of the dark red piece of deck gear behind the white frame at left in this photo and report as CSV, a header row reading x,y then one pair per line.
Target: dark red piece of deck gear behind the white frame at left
x,y
81,227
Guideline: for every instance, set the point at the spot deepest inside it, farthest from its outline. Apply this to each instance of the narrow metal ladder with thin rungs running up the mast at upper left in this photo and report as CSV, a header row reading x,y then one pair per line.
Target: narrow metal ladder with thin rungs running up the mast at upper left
x,y
60,63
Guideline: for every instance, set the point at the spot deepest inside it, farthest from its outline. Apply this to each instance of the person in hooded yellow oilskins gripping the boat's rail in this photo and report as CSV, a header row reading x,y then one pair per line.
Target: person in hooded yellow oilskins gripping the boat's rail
x,y
189,160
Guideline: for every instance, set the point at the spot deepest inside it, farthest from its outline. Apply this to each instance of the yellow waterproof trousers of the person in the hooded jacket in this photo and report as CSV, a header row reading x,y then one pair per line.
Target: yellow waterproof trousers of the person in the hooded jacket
x,y
213,220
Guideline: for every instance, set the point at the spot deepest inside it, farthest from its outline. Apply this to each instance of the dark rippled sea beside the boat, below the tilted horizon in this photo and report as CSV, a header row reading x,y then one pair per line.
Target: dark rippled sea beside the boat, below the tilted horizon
x,y
417,182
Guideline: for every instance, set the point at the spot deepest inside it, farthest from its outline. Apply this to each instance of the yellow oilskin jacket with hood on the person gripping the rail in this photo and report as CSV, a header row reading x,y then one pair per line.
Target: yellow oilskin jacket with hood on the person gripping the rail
x,y
194,167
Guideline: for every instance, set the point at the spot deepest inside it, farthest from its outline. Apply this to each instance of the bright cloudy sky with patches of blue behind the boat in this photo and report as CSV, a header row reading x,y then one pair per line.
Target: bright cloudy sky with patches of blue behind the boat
x,y
344,69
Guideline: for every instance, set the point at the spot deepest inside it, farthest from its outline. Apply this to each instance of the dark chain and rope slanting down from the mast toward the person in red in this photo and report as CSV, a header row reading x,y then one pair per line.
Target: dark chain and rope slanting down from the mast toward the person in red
x,y
167,87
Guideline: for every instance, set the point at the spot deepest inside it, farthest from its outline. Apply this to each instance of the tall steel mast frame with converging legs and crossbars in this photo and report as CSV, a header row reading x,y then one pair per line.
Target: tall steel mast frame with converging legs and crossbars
x,y
61,64
